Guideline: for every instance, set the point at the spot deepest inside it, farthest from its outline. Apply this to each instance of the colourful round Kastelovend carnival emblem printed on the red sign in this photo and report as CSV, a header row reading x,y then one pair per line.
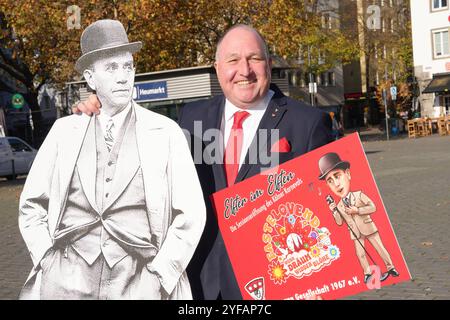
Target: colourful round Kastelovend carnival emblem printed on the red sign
x,y
295,244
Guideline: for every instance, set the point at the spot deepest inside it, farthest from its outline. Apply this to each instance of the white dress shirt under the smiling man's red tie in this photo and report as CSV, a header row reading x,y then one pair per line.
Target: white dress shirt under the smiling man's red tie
x,y
250,124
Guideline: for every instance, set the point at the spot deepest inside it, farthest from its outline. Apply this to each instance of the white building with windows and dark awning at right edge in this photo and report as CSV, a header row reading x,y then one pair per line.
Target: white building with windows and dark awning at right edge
x,y
431,51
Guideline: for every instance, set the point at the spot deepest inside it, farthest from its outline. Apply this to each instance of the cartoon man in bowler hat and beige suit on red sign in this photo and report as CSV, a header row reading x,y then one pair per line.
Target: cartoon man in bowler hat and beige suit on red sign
x,y
354,209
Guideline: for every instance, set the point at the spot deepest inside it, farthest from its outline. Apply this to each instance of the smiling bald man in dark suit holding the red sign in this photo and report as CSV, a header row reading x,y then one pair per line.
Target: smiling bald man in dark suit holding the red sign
x,y
247,118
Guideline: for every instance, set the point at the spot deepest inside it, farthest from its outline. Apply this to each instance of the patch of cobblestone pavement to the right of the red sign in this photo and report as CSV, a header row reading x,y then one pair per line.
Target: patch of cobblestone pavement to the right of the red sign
x,y
413,178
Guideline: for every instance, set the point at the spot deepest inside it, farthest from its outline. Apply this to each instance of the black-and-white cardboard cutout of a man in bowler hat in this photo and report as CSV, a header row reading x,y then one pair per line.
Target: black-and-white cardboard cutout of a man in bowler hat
x,y
112,207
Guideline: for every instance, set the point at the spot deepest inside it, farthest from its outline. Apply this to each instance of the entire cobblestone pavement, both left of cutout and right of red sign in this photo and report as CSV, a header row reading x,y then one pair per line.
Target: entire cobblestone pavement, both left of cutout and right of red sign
x,y
413,179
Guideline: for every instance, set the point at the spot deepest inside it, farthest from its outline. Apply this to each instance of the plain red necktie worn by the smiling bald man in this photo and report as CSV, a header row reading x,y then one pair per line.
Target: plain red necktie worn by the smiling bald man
x,y
234,146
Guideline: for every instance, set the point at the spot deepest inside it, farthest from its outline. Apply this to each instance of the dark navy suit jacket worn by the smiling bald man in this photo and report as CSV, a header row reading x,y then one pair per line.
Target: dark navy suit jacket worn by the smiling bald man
x,y
305,127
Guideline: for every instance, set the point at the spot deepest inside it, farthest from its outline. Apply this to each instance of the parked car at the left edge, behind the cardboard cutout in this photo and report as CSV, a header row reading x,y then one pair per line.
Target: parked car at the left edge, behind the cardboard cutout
x,y
16,157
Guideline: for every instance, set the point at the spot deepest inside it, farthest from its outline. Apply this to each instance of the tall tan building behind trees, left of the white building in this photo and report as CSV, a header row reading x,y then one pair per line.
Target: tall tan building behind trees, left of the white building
x,y
375,25
